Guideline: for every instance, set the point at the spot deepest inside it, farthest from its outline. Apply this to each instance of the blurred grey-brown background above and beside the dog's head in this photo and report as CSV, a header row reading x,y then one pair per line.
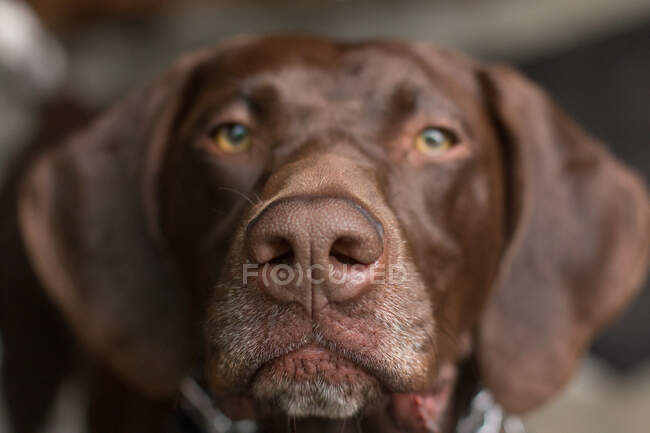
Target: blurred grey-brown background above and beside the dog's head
x,y
61,61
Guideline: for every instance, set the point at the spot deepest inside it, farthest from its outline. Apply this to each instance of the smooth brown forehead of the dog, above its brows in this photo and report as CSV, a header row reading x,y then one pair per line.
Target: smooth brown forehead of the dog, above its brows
x,y
314,70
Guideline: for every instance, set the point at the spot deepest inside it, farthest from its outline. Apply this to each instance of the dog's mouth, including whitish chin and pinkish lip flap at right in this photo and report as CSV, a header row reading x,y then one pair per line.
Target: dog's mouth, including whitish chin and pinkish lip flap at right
x,y
316,382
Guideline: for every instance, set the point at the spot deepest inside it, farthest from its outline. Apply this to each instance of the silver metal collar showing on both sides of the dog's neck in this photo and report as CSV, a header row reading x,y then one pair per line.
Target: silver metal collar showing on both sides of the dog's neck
x,y
484,416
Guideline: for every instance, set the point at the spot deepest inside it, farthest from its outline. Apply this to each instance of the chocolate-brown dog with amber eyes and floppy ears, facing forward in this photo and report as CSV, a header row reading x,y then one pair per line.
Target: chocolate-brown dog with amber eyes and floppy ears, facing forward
x,y
333,230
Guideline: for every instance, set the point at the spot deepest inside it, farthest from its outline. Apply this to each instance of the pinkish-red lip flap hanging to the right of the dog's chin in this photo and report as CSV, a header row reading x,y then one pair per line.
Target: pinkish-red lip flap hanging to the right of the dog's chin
x,y
424,412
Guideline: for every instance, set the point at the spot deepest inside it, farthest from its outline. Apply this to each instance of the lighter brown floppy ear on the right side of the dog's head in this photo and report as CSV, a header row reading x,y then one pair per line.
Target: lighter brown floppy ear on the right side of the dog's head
x,y
578,249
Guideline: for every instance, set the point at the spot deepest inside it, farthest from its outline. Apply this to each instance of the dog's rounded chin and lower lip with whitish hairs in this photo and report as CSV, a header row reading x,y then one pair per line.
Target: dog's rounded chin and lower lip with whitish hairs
x,y
314,382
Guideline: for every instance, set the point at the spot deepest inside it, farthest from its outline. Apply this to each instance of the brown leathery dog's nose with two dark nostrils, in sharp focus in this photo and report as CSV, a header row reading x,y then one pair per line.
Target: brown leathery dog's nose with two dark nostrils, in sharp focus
x,y
315,250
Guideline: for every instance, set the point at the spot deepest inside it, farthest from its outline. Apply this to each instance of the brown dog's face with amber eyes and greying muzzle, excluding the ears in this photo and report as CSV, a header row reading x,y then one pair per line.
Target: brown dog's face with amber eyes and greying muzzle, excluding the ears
x,y
341,207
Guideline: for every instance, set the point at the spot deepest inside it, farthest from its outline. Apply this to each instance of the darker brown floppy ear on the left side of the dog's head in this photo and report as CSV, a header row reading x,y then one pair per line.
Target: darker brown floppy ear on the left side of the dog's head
x,y
87,215
